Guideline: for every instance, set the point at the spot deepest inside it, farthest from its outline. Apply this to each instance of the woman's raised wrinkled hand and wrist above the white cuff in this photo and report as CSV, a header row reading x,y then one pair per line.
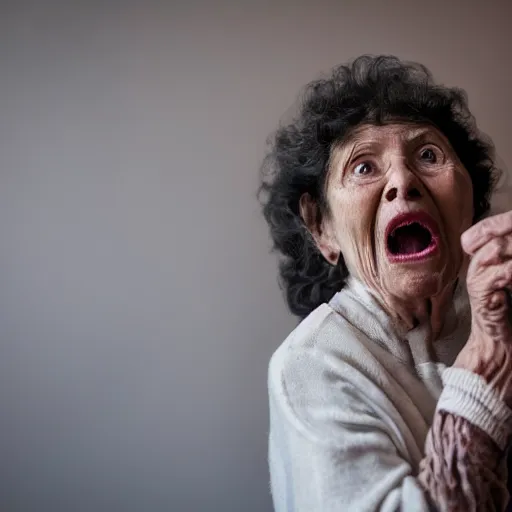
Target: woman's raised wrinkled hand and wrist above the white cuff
x,y
488,351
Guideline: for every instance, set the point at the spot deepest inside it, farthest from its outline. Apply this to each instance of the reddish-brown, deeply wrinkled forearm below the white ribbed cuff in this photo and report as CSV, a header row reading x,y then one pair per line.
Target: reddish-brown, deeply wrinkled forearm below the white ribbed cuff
x,y
463,468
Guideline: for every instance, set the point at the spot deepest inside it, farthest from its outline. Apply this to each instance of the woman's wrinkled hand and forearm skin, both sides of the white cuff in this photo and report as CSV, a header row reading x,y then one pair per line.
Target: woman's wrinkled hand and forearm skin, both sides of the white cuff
x,y
463,468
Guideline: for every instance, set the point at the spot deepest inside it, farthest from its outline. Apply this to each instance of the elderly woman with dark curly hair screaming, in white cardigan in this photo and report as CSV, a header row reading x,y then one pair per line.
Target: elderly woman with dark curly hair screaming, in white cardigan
x,y
394,391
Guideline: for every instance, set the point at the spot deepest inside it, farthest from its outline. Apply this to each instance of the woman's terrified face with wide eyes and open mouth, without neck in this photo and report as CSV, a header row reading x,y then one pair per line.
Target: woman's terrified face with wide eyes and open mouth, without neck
x,y
399,199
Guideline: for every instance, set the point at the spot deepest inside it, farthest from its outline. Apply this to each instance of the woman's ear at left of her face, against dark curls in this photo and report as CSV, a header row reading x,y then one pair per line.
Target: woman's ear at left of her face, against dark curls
x,y
319,229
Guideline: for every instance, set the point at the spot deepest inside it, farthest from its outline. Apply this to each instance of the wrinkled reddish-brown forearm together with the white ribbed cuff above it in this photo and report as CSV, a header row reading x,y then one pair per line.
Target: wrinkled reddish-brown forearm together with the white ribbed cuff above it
x,y
464,466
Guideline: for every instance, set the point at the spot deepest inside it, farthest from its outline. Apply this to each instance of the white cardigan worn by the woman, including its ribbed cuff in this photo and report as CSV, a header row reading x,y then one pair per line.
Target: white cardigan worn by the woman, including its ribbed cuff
x,y
352,399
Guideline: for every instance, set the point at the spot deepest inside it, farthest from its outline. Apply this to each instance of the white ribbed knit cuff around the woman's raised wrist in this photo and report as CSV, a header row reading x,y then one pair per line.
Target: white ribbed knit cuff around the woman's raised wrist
x,y
467,395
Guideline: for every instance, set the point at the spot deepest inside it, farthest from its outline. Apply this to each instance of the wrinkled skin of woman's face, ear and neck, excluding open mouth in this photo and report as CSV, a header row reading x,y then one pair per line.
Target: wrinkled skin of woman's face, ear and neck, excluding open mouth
x,y
375,174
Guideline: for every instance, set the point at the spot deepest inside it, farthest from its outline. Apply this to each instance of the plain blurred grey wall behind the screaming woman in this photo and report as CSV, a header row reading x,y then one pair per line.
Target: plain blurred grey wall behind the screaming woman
x,y
138,300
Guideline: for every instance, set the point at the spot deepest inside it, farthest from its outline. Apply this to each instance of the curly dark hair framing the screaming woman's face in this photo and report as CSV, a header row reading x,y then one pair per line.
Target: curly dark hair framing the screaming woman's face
x,y
370,90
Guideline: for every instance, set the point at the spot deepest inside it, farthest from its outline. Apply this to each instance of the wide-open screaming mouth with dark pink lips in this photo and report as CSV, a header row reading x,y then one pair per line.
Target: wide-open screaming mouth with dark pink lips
x,y
411,236
